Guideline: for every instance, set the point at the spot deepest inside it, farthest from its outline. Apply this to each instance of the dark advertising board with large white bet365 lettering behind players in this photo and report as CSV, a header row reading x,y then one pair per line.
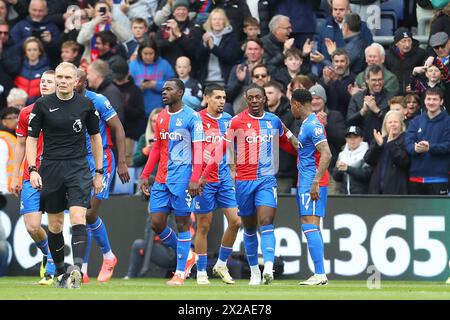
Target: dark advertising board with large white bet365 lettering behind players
x,y
396,237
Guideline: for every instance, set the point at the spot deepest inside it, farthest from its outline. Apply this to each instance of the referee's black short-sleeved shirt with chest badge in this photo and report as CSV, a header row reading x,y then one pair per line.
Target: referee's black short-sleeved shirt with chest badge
x,y
64,124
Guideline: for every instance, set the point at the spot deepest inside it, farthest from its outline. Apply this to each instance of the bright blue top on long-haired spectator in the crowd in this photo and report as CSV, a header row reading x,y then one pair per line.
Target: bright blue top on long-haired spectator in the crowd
x,y
161,71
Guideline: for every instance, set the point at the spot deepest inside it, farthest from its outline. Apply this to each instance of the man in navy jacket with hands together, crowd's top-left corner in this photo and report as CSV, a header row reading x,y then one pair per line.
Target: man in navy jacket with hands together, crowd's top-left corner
x,y
38,25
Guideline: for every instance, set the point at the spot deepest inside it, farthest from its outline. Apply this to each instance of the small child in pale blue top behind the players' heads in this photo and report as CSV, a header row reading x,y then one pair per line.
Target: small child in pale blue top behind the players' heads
x,y
193,93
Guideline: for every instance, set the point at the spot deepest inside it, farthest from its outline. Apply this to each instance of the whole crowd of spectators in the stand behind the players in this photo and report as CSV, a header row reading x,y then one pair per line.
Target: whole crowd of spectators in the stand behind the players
x,y
385,108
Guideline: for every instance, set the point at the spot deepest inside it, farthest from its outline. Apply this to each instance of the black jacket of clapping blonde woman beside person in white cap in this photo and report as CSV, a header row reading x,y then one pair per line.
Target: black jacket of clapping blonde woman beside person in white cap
x,y
391,167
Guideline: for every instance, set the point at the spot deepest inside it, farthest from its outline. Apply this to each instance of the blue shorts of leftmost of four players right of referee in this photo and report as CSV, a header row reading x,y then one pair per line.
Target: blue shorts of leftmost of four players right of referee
x,y
171,196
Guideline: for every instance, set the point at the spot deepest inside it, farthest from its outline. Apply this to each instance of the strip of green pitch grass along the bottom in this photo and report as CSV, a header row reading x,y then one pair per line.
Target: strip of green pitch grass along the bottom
x,y
26,288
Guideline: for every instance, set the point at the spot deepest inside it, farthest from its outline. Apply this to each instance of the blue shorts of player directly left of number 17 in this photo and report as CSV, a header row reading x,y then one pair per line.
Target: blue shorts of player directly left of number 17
x,y
254,193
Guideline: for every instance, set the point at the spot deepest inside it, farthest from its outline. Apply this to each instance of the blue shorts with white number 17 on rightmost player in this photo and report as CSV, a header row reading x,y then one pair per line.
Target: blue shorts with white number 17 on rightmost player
x,y
312,208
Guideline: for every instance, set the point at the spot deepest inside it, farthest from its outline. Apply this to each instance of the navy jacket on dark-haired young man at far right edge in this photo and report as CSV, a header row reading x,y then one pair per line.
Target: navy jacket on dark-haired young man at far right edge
x,y
433,165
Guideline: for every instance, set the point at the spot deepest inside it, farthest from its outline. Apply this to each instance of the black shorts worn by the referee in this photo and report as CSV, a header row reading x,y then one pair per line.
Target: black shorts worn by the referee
x,y
65,183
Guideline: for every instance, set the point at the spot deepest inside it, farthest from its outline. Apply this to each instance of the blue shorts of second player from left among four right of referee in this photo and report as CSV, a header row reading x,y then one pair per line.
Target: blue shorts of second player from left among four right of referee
x,y
216,195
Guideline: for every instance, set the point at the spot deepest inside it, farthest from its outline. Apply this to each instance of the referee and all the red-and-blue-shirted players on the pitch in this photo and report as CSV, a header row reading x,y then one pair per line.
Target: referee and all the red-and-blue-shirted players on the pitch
x,y
206,161
